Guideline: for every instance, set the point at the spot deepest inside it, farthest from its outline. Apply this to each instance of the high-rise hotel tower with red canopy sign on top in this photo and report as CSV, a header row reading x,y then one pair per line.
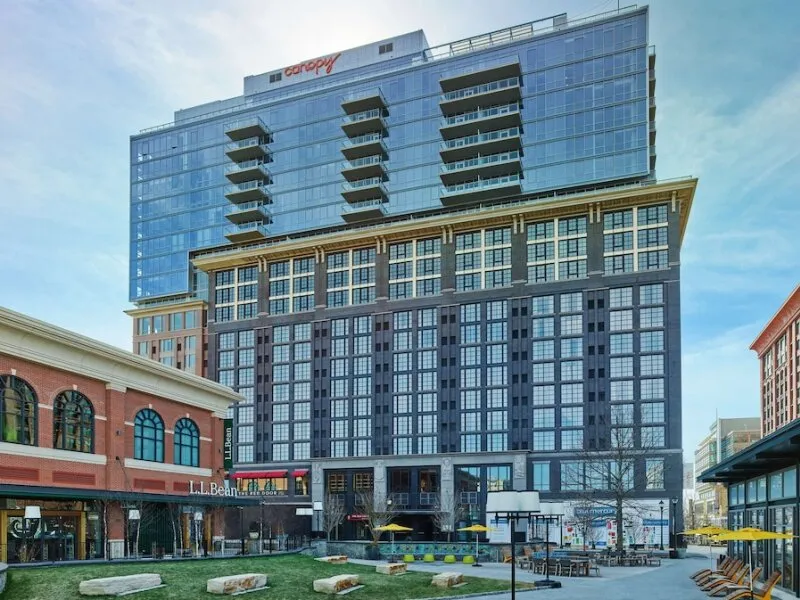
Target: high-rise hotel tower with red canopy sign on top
x,y
428,270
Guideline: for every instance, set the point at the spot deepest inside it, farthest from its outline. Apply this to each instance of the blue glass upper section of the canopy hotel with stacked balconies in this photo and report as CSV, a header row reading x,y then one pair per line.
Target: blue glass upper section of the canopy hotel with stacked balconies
x,y
568,104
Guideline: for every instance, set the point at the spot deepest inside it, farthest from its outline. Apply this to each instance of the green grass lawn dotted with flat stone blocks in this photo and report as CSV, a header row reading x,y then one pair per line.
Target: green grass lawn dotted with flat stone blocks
x,y
289,578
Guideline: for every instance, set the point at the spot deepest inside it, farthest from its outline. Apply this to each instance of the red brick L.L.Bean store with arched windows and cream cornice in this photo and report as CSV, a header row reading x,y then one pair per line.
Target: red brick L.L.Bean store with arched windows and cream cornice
x,y
103,453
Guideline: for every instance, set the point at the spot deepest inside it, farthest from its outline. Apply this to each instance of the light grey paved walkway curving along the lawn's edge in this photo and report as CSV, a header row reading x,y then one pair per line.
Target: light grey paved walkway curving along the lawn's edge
x,y
667,582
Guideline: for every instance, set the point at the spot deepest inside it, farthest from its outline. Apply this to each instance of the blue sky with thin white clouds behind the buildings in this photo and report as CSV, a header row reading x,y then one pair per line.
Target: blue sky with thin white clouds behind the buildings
x,y
79,76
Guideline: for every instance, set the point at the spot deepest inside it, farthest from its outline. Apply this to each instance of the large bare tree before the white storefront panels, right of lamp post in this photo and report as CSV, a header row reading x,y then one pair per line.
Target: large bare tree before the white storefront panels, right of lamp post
x,y
607,478
